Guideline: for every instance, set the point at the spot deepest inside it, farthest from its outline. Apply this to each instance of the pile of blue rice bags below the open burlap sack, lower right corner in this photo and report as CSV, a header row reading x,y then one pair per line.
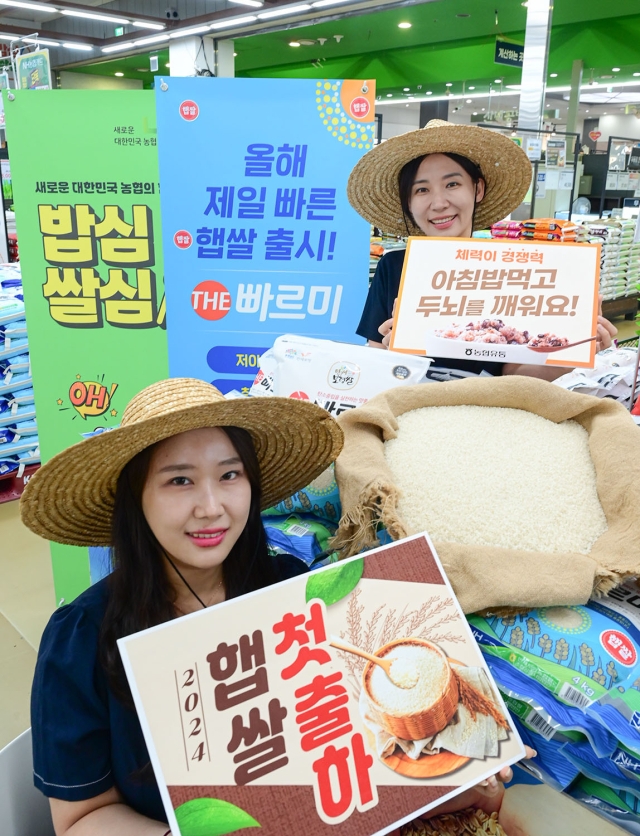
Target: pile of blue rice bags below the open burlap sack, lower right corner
x,y
571,679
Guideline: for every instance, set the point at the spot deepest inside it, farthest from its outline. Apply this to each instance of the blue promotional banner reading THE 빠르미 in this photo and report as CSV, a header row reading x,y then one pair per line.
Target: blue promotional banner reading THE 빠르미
x,y
259,237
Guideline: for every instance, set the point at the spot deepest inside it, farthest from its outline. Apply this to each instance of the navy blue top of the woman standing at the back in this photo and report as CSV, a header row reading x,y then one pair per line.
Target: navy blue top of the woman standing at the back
x,y
379,307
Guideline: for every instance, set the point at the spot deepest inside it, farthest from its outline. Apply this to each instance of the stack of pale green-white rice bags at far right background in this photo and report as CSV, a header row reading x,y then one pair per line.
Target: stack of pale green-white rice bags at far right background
x,y
620,257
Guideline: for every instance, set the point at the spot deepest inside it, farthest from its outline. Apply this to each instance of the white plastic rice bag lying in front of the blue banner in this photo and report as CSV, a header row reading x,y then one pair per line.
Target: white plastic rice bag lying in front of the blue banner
x,y
336,376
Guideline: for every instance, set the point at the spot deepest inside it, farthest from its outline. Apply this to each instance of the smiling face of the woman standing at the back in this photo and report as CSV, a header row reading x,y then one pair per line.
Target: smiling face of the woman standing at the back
x,y
442,197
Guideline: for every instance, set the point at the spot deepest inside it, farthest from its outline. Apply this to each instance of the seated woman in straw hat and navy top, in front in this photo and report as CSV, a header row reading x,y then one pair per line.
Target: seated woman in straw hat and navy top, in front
x,y
176,491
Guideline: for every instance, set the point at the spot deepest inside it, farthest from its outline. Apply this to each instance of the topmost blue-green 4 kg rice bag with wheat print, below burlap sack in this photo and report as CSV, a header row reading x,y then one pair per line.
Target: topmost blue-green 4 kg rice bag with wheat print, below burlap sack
x,y
587,657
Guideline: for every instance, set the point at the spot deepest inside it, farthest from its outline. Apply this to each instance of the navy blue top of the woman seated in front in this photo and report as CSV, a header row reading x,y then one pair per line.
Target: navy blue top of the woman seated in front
x,y
85,740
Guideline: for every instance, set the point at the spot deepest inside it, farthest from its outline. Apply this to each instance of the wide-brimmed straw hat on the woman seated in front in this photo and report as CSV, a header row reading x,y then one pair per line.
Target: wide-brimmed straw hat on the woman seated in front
x,y
70,499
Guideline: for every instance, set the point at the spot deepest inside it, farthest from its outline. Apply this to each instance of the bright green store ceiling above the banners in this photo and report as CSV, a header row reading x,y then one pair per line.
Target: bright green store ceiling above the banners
x,y
439,47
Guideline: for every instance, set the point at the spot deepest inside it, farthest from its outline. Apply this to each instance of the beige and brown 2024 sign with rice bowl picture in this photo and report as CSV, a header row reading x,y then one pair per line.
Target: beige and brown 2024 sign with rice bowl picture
x,y
254,718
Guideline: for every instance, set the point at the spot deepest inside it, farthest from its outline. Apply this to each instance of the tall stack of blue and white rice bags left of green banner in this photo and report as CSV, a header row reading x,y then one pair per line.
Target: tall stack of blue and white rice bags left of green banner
x,y
19,445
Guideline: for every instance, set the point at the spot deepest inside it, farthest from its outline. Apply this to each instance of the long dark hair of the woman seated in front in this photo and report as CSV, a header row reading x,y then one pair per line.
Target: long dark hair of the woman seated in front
x,y
140,592
